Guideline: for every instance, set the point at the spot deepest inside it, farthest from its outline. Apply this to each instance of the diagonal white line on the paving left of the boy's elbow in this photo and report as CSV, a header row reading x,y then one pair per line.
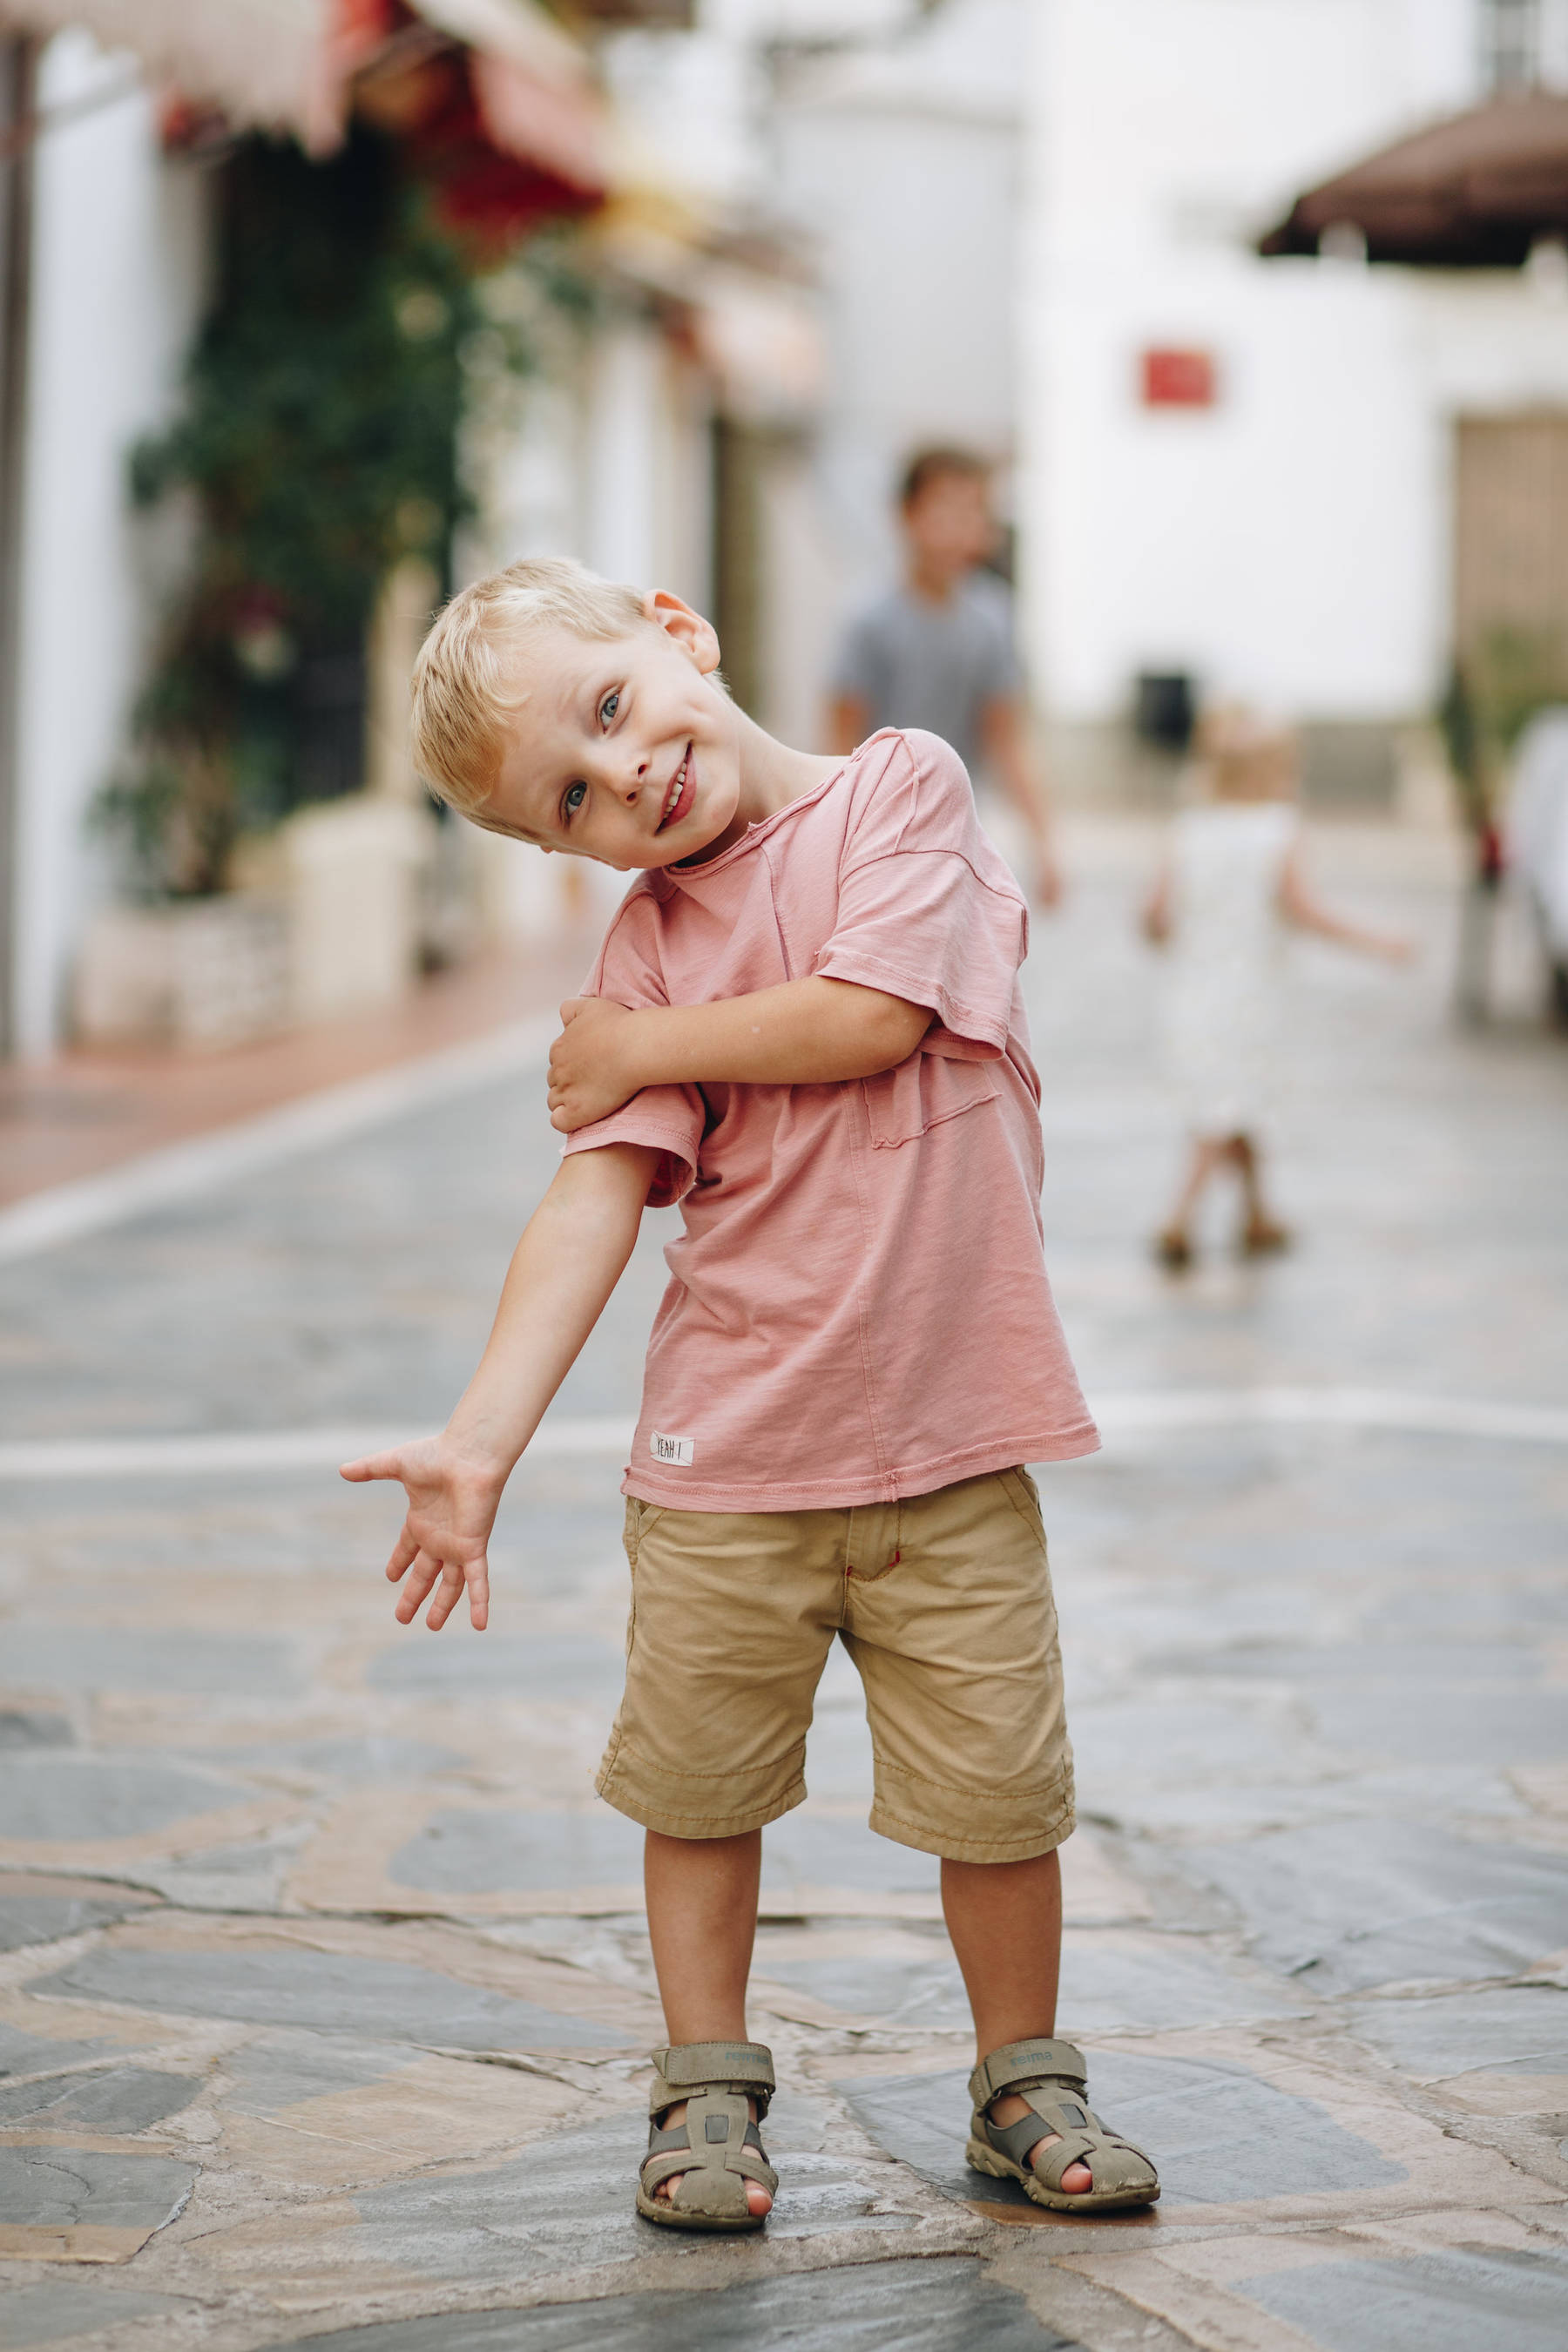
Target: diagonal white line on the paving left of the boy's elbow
x,y
316,1121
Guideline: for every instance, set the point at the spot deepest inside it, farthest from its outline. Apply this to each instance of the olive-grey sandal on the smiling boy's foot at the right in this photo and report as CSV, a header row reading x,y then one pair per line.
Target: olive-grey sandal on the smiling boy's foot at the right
x,y
1052,2078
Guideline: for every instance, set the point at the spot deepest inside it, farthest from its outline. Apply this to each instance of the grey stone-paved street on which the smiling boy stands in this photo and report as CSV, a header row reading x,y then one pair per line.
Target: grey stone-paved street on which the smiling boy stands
x,y
323,1984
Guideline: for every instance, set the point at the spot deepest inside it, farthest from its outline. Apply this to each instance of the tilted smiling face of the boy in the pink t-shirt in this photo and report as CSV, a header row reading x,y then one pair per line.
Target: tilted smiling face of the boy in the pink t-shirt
x,y
624,749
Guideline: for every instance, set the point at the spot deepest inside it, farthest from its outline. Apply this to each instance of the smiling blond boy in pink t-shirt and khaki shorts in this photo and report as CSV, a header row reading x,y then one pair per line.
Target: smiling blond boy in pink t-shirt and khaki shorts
x,y
805,1027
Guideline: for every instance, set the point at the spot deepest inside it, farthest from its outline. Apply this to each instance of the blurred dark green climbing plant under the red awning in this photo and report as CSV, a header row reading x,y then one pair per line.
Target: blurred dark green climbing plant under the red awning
x,y
319,443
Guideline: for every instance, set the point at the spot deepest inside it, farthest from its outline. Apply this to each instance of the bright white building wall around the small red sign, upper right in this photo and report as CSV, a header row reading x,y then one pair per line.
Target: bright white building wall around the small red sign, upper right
x,y
1294,542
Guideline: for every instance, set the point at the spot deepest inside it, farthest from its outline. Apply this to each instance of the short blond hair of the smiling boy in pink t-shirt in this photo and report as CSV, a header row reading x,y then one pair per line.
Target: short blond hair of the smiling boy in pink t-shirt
x,y
464,686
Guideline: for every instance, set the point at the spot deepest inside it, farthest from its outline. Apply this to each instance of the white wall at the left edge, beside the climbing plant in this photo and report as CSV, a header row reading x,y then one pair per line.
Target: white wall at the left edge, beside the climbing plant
x,y
119,269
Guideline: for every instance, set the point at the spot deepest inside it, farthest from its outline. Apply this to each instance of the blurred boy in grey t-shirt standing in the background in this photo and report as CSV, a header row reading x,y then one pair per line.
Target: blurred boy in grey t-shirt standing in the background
x,y
937,653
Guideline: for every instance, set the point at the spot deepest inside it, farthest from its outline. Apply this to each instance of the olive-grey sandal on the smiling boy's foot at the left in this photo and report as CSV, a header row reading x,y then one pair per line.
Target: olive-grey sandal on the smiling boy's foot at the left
x,y
716,2146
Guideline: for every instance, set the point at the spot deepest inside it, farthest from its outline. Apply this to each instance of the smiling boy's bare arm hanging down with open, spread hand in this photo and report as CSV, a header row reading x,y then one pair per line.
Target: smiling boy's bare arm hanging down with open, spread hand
x,y
561,1278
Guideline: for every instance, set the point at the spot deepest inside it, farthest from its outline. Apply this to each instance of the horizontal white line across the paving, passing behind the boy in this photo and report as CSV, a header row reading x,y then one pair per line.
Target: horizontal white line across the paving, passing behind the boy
x,y
1125,1415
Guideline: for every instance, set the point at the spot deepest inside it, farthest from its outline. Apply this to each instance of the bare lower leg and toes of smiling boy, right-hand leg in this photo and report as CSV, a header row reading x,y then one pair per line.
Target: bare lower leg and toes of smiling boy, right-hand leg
x,y
1007,1930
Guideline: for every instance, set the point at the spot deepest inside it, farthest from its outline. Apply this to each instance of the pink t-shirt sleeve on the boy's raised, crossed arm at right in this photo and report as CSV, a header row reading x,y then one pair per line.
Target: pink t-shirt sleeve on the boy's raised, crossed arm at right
x,y
927,907
